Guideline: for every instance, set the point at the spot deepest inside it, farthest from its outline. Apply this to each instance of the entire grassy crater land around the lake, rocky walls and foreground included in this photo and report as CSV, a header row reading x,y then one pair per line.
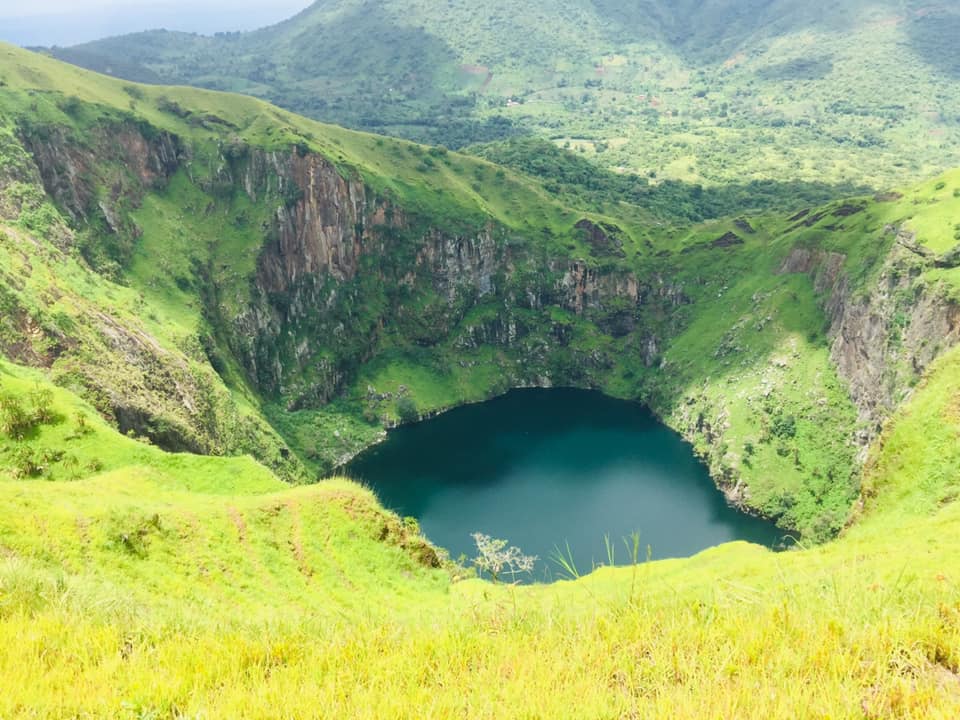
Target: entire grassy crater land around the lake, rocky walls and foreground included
x,y
139,236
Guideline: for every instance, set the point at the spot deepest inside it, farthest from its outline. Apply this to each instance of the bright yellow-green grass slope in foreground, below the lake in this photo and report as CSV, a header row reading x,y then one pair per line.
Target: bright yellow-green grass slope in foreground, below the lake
x,y
136,594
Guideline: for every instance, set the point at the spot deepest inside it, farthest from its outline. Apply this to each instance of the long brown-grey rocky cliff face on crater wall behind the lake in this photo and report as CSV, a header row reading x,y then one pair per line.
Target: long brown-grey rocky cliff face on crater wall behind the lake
x,y
340,267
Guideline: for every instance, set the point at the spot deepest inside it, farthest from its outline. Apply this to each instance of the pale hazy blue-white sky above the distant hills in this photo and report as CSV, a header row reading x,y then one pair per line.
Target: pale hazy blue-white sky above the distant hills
x,y
65,22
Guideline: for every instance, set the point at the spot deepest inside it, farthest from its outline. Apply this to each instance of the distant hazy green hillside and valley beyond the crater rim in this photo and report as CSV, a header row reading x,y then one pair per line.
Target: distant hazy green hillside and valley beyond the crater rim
x,y
712,92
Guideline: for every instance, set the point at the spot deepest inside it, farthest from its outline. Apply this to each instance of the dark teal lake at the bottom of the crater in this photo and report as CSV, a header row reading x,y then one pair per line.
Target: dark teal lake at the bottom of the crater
x,y
550,468
